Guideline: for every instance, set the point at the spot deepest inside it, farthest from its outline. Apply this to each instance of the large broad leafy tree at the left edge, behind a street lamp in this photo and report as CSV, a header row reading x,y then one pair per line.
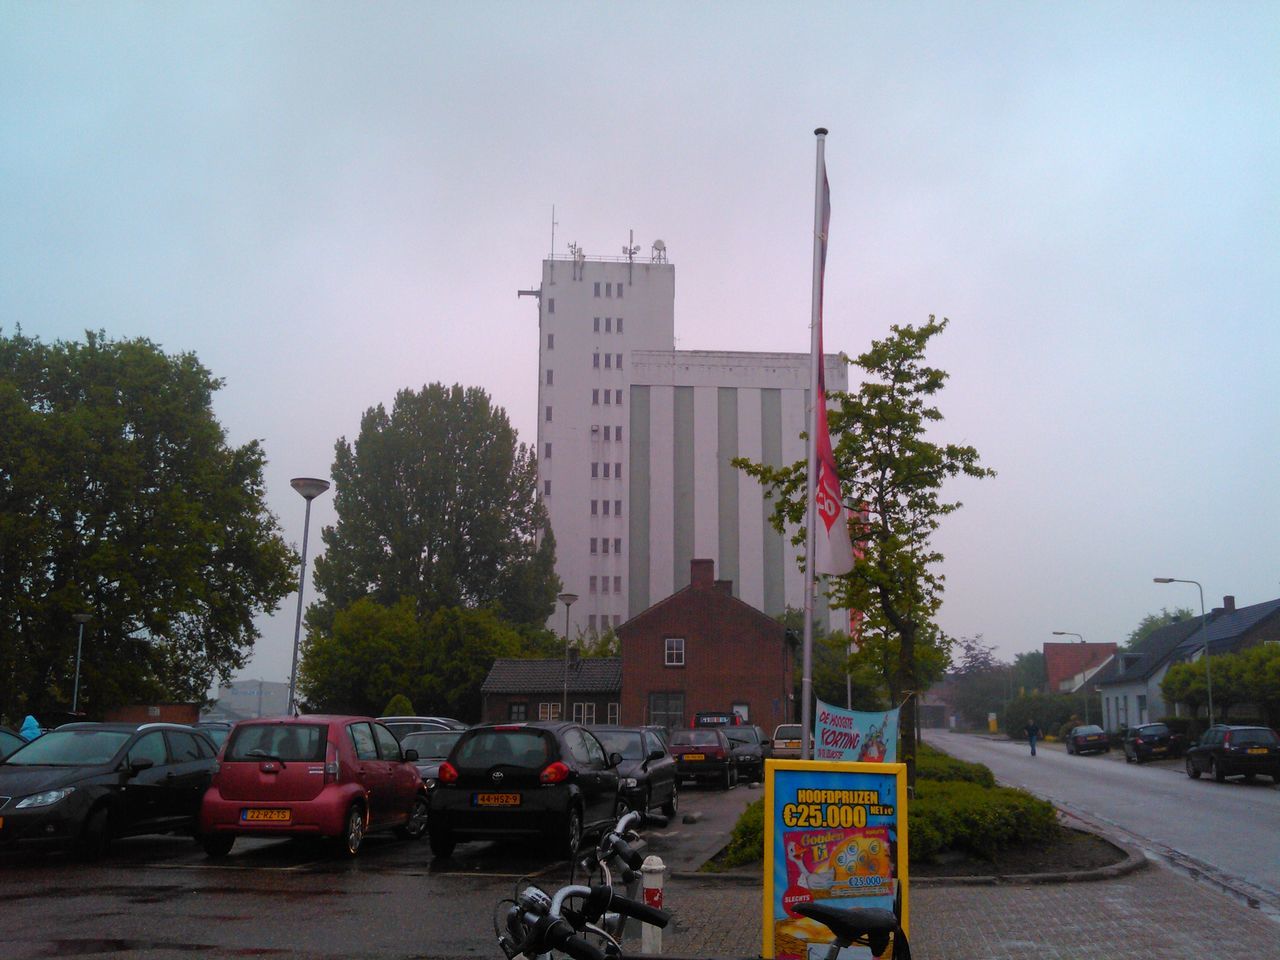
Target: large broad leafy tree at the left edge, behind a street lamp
x,y
121,499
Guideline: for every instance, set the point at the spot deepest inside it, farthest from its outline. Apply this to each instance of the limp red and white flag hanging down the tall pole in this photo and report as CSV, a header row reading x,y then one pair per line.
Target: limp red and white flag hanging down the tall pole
x,y
834,552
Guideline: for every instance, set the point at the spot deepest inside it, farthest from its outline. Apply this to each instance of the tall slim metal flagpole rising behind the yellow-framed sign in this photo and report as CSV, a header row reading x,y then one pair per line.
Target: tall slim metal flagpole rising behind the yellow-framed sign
x,y
815,400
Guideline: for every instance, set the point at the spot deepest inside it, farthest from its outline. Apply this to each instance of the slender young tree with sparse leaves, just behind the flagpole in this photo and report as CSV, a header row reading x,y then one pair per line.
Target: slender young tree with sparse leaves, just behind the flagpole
x,y
890,469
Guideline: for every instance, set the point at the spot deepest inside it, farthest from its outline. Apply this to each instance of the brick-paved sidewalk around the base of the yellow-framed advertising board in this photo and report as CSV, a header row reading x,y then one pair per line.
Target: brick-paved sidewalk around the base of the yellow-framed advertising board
x,y
1151,915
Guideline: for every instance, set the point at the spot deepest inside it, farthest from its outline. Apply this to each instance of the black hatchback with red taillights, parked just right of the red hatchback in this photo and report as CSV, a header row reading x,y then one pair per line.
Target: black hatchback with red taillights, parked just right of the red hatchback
x,y
548,781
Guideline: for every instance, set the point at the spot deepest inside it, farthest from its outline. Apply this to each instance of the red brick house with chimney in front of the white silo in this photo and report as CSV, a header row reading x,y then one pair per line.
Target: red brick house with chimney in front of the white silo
x,y
705,650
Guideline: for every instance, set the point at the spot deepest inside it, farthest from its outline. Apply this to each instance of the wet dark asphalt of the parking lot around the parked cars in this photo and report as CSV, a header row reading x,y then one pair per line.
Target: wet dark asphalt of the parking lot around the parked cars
x,y
162,898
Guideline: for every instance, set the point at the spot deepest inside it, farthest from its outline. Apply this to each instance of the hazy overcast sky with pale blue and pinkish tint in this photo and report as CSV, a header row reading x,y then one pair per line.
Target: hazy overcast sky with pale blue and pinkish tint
x,y
331,202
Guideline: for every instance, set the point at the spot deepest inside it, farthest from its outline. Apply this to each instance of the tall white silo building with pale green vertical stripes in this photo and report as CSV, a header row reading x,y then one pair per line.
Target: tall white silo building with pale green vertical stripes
x,y
637,444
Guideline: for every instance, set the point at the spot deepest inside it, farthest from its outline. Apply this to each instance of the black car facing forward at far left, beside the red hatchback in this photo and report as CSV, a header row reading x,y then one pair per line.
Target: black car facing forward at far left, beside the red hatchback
x,y
88,784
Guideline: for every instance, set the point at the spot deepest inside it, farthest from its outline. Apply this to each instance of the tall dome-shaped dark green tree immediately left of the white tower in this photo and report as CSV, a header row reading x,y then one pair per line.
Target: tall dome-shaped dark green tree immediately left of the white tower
x,y
437,501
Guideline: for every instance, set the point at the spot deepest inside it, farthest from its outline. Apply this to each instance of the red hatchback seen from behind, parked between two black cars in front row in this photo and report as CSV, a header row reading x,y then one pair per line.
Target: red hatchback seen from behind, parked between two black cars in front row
x,y
336,778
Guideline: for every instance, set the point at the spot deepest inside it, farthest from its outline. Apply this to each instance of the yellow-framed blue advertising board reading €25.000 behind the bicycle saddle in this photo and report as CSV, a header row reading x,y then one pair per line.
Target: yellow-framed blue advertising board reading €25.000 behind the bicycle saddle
x,y
833,833
